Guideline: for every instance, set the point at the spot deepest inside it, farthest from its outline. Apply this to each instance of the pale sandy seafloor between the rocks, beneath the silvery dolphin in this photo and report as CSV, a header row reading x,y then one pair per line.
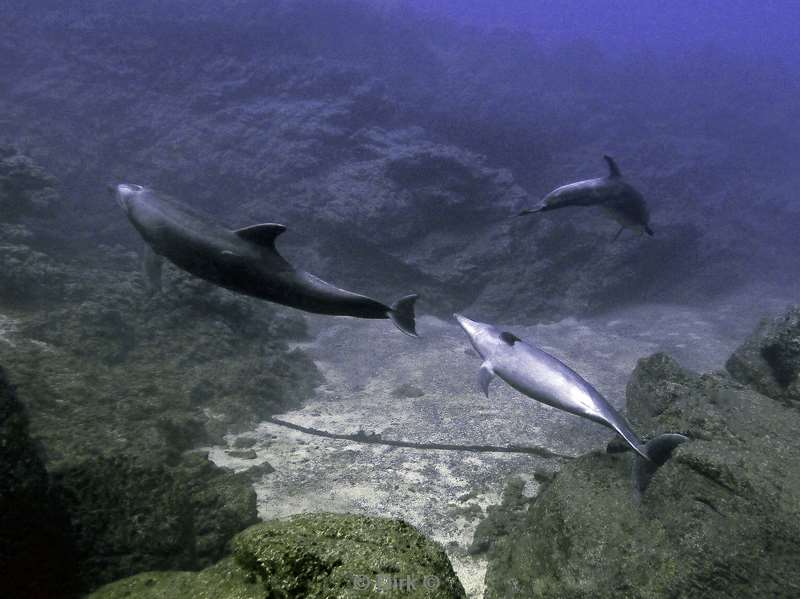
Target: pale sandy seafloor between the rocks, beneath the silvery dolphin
x,y
364,364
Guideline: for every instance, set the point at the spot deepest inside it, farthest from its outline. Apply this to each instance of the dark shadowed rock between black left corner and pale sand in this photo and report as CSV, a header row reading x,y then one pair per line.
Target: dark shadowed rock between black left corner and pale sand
x,y
131,514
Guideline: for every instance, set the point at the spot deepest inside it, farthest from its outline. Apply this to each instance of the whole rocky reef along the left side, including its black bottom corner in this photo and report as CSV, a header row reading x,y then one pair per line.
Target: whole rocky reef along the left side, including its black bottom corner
x,y
119,386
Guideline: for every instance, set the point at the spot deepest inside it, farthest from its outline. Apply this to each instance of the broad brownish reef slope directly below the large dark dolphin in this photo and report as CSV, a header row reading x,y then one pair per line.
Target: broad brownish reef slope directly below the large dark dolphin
x,y
109,370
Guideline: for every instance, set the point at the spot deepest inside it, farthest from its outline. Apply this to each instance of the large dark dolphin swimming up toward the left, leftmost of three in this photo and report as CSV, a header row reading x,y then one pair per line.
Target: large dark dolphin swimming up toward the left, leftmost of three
x,y
244,260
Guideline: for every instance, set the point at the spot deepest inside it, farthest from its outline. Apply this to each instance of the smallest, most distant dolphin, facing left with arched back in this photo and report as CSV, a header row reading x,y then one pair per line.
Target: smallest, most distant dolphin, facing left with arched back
x,y
617,198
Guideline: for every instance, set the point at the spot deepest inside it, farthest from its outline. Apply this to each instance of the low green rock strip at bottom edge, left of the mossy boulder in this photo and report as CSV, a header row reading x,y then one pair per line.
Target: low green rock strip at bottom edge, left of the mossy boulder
x,y
224,580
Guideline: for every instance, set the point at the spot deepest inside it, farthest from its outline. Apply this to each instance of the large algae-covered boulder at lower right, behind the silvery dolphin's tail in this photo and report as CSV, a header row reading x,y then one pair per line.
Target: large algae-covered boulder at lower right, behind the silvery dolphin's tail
x,y
720,519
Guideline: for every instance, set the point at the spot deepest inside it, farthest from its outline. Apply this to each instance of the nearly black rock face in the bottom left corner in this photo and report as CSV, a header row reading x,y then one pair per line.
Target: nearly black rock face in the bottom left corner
x,y
37,557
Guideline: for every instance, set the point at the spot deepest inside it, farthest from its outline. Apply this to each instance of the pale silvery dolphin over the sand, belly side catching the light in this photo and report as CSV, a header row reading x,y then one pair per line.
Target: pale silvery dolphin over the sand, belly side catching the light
x,y
544,378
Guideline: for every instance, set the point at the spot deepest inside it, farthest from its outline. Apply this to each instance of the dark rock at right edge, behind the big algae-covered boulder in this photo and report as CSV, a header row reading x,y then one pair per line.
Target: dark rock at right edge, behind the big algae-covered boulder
x,y
769,361
